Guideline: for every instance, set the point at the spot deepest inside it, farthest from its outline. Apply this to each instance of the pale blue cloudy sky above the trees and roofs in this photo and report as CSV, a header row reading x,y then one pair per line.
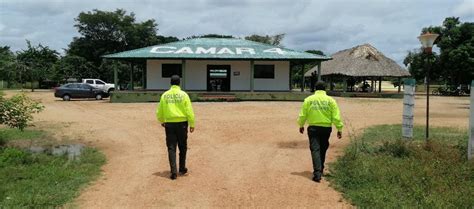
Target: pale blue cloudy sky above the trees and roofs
x,y
391,26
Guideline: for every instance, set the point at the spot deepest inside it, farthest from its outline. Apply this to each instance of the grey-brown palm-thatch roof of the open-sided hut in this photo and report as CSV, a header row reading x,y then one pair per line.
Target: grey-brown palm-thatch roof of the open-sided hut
x,y
360,61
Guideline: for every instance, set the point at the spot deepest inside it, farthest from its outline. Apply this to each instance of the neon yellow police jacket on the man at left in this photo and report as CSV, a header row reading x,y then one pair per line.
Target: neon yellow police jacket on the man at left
x,y
175,106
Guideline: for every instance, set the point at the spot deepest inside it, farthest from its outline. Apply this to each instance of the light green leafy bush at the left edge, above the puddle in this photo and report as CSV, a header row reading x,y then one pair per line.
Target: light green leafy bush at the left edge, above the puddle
x,y
18,111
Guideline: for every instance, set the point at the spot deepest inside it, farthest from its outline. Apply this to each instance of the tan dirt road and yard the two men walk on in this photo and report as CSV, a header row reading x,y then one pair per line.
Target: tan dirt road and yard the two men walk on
x,y
246,154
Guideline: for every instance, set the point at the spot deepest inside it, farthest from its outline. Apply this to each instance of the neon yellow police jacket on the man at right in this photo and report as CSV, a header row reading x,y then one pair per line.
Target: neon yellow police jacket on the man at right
x,y
320,110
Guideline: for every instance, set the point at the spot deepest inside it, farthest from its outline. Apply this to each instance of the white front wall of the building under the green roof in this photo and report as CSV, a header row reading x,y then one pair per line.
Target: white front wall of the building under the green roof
x,y
196,75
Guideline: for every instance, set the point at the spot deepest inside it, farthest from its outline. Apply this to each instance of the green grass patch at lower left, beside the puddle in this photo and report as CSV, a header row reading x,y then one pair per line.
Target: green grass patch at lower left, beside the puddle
x,y
42,180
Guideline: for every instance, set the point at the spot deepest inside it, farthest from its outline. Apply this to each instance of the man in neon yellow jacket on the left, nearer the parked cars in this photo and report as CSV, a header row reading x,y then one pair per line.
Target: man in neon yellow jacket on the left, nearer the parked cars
x,y
175,114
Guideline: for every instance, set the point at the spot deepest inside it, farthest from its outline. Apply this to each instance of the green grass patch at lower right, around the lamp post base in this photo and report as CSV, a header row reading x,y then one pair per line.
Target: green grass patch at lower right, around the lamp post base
x,y
381,170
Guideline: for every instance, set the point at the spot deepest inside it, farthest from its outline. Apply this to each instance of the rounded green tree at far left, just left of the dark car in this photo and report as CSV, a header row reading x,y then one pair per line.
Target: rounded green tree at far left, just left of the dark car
x,y
38,62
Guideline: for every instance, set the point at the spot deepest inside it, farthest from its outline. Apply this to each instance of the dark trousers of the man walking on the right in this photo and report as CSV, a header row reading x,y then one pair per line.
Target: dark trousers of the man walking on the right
x,y
318,144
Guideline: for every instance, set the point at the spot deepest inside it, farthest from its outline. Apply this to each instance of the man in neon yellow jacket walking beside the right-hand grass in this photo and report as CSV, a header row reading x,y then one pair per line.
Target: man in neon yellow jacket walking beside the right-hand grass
x,y
320,111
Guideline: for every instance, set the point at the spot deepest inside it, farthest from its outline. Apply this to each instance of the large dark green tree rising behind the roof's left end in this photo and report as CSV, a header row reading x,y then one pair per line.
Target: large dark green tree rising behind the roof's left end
x,y
104,32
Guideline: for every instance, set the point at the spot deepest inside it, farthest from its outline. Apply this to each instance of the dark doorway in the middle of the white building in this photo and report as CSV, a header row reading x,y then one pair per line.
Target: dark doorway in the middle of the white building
x,y
218,77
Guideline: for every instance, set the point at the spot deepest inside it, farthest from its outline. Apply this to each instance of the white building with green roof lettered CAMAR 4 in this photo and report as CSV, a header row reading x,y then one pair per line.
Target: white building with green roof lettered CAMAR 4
x,y
219,64
